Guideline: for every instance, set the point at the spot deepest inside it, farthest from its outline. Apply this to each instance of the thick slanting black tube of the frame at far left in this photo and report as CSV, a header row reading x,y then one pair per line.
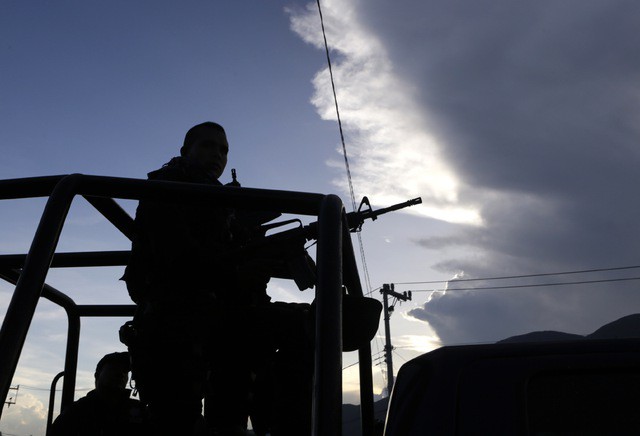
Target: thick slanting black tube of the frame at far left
x,y
29,287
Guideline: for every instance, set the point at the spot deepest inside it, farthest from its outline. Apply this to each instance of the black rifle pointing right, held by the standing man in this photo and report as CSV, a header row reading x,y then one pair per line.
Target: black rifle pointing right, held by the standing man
x,y
284,253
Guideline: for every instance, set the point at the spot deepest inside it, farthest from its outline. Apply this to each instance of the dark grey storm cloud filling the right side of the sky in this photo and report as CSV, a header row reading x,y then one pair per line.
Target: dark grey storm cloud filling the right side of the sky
x,y
536,106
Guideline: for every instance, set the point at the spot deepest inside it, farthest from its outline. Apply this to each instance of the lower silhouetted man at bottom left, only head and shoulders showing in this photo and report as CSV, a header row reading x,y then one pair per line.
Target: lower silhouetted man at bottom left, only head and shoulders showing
x,y
108,410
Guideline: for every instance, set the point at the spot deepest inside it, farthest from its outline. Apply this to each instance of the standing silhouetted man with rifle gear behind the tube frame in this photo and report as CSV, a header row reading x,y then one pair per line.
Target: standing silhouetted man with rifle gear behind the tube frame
x,y
204,322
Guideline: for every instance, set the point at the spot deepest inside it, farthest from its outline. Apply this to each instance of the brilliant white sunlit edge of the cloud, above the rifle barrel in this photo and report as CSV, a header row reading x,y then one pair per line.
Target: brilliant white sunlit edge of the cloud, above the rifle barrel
x,y
392,153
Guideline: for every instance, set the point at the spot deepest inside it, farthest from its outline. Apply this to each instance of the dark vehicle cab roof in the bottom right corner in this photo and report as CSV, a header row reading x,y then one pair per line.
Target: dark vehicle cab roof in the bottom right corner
x,y
574,387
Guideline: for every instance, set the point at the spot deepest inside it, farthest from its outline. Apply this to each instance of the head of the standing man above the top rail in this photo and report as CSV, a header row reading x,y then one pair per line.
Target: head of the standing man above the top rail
x,y
207,144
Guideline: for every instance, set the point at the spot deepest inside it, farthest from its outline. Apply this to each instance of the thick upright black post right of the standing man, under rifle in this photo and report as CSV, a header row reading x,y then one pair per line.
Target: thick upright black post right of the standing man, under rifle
x,y
327,383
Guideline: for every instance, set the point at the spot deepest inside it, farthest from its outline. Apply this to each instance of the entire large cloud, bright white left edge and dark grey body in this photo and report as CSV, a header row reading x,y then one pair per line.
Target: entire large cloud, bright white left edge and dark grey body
x,y
518,117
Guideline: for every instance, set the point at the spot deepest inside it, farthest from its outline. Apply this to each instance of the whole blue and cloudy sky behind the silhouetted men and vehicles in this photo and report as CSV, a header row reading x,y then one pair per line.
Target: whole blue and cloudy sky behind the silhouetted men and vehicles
x,y
515,121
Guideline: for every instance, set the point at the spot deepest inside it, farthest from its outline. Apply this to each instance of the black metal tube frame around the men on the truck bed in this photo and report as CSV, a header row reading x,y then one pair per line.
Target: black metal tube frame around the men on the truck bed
x,y
334,257
